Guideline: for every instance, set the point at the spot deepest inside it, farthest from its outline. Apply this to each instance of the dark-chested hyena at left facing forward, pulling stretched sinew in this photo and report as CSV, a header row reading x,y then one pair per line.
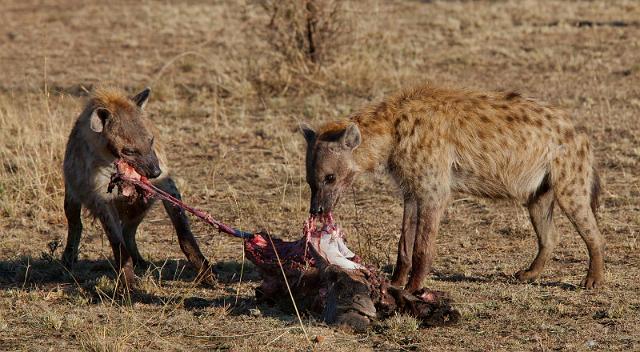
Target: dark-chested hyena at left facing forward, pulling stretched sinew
x,y
111,127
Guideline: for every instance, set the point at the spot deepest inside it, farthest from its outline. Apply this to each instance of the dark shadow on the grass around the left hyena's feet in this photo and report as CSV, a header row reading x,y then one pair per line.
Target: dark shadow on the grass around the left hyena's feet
x,y
98,280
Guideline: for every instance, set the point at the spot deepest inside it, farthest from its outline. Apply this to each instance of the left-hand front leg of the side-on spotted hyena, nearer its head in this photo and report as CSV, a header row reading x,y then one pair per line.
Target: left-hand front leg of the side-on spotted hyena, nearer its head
x,y
407,239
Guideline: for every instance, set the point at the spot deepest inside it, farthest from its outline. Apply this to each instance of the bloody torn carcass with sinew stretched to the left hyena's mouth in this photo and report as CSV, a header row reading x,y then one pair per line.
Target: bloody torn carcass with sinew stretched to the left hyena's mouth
x,y
325,277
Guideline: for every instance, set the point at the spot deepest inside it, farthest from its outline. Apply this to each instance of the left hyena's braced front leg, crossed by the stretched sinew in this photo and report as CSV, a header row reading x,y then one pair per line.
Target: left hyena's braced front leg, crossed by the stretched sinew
x,y
188,243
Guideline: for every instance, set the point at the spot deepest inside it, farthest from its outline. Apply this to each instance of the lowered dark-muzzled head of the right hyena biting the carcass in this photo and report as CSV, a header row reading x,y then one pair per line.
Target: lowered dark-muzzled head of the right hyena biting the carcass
x,y
331,167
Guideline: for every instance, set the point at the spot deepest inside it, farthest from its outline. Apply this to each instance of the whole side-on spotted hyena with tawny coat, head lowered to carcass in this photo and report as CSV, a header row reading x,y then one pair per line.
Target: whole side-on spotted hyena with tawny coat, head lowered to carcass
x,y
434,141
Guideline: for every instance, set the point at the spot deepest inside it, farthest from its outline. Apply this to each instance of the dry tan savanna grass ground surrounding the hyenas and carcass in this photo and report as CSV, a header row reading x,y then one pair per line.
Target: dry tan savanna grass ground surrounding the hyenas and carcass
x,y
227,98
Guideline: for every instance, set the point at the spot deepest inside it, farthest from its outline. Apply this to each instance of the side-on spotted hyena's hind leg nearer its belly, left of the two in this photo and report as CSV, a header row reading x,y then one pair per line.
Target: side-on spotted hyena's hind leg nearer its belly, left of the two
x,y
541,213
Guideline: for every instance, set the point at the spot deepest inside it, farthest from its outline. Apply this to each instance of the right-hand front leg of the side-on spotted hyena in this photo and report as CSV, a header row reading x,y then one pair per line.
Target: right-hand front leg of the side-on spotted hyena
x,y
429,213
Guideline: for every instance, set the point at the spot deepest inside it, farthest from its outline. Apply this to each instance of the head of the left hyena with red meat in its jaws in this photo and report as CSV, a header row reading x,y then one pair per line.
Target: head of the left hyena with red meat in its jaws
x,y
122,131
